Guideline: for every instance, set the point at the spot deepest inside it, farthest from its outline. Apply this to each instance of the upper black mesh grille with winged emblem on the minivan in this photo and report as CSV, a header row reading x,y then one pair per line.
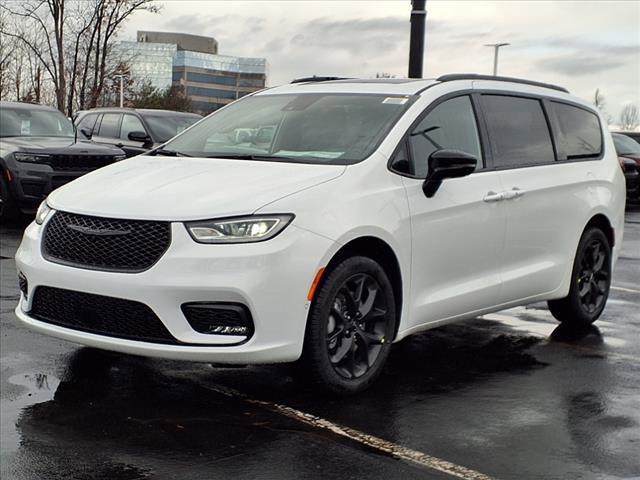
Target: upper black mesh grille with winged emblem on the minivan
x,y
105,243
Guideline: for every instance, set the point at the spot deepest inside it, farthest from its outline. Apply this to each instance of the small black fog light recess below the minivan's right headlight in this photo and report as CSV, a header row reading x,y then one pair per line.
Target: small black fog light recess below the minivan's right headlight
x,y
219,318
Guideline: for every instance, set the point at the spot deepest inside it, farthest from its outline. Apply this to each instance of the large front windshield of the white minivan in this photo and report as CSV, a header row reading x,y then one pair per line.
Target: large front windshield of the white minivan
x,y
305,128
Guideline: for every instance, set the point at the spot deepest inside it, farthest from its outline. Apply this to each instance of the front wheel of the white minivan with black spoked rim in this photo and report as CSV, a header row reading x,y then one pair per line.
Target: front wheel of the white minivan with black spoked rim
x,y
350,328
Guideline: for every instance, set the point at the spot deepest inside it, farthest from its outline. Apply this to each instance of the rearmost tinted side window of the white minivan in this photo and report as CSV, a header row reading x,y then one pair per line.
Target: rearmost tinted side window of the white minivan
x,y
579,132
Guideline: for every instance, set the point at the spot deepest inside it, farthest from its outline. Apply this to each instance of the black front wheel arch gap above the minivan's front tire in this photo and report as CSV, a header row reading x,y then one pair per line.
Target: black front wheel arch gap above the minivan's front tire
x,y
380,251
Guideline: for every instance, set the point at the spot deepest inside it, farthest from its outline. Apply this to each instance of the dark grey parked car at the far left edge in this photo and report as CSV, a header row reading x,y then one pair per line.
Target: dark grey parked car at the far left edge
x,y
39,152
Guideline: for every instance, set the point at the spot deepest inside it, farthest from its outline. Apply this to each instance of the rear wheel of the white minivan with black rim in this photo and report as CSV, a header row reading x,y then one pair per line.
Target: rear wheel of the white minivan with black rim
x,y
590,281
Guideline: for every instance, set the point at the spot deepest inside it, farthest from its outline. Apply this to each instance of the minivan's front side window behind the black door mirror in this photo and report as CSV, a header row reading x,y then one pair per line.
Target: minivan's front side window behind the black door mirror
x,y
451,124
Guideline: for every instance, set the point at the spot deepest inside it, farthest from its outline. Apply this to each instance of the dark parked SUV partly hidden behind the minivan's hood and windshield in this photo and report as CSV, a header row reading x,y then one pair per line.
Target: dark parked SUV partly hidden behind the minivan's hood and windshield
x,y
133,130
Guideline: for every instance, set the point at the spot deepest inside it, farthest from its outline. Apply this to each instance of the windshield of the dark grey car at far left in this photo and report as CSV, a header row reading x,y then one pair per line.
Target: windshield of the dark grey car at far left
x,y
22,122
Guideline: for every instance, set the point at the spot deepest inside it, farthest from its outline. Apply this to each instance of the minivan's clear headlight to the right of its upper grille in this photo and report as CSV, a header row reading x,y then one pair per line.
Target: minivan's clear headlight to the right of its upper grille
x,y
239,229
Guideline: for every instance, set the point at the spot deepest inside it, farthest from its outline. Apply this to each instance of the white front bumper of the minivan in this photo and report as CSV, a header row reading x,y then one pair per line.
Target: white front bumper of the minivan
x,y
271,278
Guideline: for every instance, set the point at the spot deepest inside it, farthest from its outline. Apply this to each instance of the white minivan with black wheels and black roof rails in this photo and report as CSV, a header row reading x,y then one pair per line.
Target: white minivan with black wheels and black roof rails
x,y
348,215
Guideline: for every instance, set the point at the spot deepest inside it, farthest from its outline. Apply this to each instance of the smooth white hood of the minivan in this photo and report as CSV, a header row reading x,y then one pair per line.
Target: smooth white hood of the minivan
x,y
180,188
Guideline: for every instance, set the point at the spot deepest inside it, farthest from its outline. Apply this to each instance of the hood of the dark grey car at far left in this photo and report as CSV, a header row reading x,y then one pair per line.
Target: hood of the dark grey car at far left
x,y
56,145
